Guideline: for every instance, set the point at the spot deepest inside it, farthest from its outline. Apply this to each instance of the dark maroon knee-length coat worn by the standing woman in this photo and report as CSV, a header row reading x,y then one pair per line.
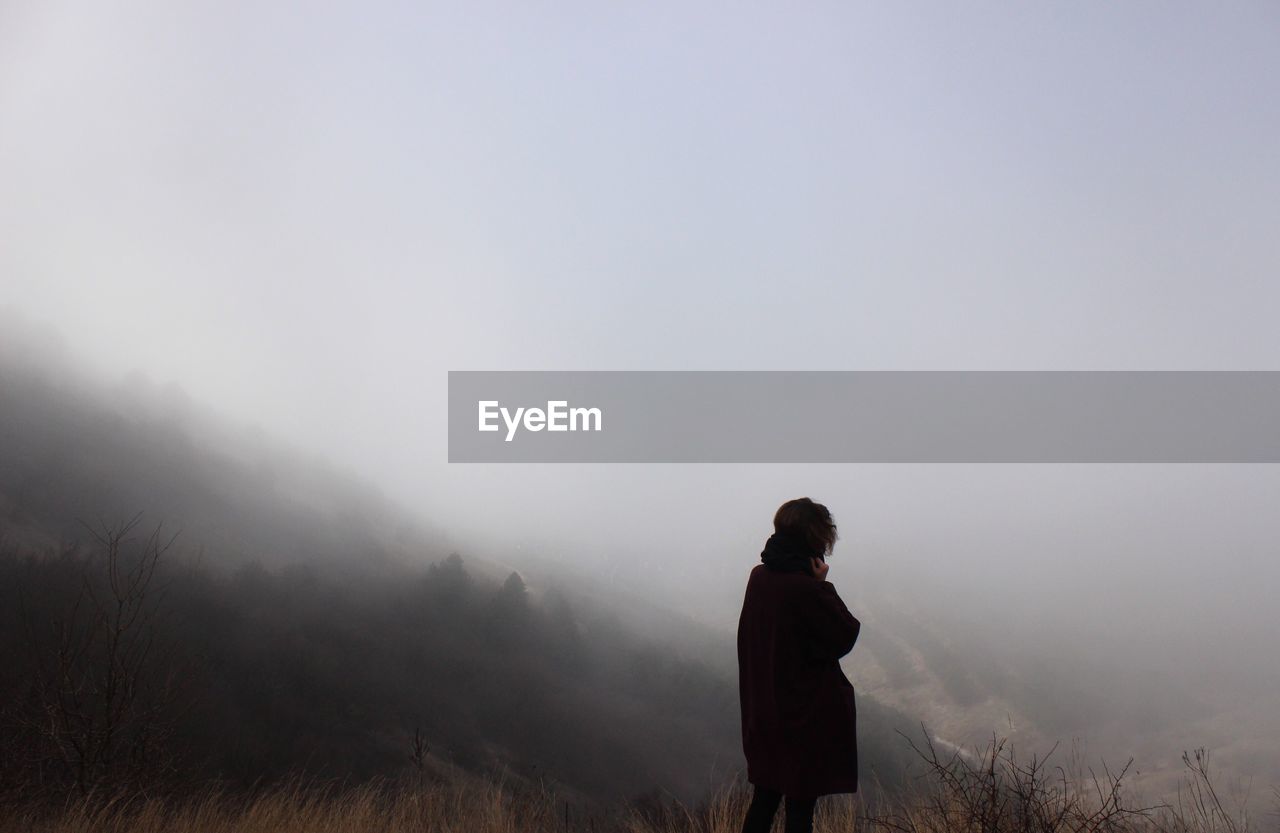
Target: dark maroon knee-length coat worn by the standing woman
x,y
798,707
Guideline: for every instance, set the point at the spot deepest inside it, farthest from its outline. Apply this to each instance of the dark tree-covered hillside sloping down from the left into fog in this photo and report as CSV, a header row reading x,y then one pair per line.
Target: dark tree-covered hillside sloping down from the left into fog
x,y
308,625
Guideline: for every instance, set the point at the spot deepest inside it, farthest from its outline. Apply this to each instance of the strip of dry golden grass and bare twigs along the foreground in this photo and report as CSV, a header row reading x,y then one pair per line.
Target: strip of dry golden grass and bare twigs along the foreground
x,y
989,791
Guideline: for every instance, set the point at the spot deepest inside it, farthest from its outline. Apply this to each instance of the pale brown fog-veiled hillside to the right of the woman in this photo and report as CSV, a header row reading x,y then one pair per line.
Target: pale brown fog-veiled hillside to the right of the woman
x,y
970,674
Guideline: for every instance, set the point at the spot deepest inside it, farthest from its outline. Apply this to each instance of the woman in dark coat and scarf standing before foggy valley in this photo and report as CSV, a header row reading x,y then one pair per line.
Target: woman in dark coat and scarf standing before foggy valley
x,y
798,707
